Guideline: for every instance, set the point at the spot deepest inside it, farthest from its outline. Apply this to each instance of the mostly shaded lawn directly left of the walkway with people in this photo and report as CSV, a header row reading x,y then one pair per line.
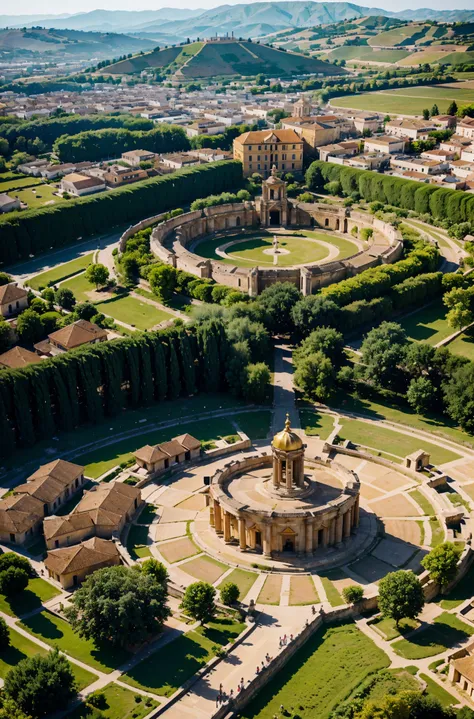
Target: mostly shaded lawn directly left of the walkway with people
x,y
168,668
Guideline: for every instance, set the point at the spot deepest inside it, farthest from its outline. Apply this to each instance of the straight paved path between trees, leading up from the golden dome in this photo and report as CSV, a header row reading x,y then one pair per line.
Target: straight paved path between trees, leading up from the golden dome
x,y
283,391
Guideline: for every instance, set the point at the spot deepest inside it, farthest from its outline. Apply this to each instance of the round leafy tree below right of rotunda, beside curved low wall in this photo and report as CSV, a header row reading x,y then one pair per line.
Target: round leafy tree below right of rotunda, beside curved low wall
x,y
401,595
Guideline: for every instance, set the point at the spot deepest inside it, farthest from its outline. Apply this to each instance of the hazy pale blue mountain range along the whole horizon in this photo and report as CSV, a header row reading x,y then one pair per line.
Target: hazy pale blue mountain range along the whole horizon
x,y
244,20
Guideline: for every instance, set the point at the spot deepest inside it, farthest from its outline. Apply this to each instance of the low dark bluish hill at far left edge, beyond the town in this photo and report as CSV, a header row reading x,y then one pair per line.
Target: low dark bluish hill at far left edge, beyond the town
x,y
64,43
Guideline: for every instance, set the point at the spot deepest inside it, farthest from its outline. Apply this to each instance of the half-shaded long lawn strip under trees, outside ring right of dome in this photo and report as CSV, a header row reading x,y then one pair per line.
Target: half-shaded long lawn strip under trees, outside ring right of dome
x,y
384,409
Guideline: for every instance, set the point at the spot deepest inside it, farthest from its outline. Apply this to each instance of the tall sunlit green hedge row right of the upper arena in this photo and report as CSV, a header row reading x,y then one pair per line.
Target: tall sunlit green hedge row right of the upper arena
x,y
455,205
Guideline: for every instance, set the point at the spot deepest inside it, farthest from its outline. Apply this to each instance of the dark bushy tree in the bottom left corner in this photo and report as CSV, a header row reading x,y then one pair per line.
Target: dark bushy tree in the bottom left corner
x,y
41,685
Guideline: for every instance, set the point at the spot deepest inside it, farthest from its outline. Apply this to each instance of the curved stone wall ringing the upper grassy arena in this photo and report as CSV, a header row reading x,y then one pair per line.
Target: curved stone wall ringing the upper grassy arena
x,y
170,242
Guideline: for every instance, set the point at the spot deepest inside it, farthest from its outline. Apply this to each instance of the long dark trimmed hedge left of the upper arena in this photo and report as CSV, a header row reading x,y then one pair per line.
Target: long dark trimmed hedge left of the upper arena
x,y
35,231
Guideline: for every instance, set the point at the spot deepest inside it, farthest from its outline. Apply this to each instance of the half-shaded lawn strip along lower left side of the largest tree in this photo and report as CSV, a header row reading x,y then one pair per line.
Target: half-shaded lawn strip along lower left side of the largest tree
x,y
57,632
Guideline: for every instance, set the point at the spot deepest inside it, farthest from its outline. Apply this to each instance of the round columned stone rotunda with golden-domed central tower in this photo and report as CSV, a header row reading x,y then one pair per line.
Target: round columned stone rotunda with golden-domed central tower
x,y
284,502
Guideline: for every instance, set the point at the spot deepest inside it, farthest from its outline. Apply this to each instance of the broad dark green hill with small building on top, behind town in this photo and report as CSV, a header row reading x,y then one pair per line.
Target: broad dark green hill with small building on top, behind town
x,y
215,59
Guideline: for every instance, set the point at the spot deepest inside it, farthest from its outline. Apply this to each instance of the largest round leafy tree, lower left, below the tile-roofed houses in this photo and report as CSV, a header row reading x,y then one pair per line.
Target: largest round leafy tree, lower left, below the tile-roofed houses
x,y
139,602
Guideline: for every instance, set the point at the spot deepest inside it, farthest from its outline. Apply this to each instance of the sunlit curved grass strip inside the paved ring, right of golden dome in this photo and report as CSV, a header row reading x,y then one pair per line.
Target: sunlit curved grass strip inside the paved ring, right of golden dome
x,y
390,441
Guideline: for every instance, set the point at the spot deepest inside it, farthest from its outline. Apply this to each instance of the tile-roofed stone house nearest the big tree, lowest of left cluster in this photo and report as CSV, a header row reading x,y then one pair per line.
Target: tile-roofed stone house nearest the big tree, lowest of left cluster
x,y
71,565
